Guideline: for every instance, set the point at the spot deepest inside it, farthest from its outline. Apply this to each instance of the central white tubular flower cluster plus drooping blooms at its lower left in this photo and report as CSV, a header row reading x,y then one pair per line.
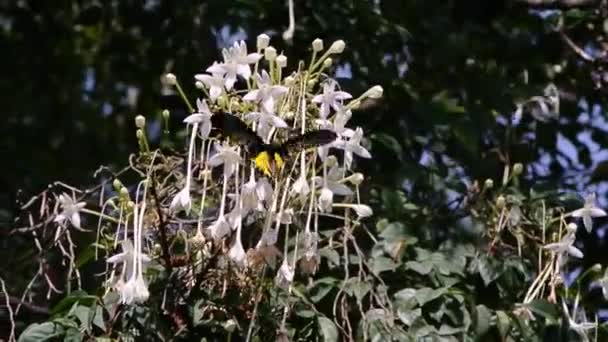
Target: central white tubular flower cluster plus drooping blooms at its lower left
x,y
285,203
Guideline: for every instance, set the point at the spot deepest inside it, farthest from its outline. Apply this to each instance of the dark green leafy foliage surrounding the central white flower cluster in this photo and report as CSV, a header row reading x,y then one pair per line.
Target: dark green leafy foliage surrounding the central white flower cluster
x,y
486,141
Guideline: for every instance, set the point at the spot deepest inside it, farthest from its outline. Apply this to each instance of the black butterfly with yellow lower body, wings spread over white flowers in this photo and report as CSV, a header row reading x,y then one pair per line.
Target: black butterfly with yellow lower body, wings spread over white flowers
x,y
267,156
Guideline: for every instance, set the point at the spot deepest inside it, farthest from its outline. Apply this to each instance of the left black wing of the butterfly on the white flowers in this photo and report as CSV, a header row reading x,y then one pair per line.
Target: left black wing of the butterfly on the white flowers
x,y
231,126
